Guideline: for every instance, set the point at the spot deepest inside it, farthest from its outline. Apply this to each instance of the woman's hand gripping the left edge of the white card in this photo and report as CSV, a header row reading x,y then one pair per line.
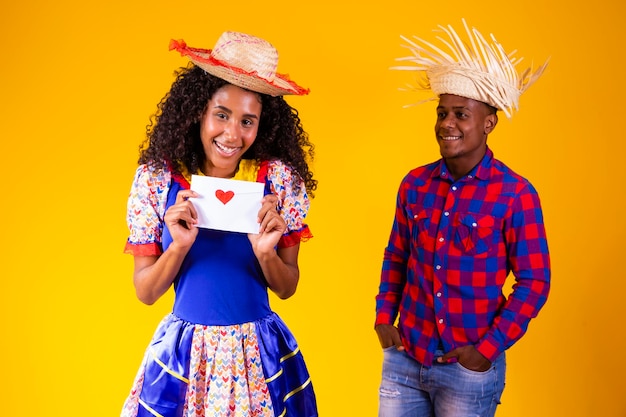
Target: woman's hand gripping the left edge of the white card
x,y
181,219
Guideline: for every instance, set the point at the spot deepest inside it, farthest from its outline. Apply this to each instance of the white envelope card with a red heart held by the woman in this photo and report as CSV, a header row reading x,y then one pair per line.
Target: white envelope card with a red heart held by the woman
x,y
229,205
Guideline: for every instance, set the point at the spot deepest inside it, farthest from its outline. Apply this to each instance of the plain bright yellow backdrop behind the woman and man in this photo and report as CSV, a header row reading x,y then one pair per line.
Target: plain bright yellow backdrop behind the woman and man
x,y
79,80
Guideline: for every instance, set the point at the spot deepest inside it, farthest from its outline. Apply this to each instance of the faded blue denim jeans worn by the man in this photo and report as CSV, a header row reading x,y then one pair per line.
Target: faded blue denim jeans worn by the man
x,y
409,389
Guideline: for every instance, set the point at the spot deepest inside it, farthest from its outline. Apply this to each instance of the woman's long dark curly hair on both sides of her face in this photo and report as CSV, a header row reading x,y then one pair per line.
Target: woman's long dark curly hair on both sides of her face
x,y
173,134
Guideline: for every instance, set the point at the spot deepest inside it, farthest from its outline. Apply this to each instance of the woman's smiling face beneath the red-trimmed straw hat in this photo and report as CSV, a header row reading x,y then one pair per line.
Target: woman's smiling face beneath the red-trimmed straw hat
x,y
228,128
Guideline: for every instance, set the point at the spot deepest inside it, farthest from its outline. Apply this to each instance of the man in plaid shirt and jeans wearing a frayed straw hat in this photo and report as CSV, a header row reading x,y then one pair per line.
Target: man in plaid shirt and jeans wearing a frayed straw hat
x,y
462,224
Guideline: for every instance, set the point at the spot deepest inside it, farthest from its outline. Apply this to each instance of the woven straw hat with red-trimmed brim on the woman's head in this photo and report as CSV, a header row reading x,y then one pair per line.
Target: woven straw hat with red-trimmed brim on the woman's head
x,y
243,60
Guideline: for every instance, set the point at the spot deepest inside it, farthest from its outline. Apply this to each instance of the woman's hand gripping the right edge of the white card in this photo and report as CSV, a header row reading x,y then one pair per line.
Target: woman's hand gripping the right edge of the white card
x,y
272,227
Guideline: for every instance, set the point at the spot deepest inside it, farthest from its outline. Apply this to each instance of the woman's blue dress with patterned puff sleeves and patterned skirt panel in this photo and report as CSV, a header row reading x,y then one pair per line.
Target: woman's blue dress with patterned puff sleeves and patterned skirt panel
x,y
222,351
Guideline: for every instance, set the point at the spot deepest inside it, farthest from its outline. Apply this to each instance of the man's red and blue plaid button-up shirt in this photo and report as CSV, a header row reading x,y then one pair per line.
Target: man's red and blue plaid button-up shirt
x,y
452,246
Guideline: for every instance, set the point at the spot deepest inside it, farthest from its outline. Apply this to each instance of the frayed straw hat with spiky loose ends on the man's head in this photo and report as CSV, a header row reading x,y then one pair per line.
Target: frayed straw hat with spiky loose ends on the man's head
x,y
478,70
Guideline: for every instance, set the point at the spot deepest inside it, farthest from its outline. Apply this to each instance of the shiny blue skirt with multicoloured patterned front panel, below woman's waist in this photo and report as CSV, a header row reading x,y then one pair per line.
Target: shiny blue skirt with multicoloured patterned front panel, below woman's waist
x,y
250,369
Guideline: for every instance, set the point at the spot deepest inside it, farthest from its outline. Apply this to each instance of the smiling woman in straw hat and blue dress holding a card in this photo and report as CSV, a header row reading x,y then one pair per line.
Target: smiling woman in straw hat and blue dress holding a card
x,y
222,351
